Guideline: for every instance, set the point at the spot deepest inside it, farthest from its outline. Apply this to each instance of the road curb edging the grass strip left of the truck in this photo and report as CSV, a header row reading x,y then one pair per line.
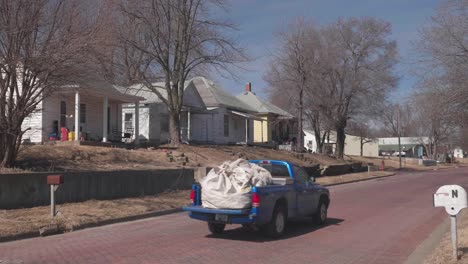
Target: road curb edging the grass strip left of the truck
x,y
33,234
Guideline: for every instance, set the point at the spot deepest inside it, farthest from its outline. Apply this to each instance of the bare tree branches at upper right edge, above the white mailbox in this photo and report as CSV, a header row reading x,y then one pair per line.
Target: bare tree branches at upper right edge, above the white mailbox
x,y
443,51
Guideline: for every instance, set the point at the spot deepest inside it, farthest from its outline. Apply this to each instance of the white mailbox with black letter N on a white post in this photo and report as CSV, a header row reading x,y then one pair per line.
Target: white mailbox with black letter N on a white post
x,y
454,199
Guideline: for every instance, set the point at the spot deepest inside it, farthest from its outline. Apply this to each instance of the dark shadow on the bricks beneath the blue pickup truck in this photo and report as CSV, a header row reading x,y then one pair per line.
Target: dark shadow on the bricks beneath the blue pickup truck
x,y
294,228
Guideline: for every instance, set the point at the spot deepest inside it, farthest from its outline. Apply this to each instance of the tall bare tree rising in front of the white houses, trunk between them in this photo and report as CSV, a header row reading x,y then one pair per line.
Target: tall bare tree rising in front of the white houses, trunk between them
x,y
170,40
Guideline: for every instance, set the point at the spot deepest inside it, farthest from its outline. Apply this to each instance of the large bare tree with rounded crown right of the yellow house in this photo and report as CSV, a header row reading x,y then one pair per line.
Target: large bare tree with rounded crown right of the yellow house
x,y
347,67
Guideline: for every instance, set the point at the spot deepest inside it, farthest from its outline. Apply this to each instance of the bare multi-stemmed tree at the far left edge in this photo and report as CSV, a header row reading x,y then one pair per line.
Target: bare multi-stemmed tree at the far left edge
x,y
41,47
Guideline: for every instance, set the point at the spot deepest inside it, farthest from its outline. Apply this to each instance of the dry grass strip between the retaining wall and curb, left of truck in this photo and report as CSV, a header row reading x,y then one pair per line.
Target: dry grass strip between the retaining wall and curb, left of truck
x,y
72,215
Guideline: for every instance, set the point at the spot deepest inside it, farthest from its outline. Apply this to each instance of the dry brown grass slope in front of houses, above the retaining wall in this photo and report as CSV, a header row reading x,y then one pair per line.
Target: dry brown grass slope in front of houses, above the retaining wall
x,y
71,157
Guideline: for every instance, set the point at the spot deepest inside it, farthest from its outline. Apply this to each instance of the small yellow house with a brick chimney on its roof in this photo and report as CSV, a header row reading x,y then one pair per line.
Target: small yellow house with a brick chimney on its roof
x,y
275,124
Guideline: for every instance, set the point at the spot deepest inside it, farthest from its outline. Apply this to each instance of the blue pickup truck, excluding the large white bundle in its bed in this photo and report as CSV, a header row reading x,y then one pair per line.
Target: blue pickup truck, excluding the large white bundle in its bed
x,y
293,194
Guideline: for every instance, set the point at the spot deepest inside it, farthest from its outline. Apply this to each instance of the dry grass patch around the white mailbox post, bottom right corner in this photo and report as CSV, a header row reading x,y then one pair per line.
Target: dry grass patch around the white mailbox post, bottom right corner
x,y
443,253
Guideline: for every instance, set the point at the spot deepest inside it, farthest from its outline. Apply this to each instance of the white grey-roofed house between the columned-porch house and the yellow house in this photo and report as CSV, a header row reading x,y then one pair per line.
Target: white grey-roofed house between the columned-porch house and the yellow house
x,y
209,115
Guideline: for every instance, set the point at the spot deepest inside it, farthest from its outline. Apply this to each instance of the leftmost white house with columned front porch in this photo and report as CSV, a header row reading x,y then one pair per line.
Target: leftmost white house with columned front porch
x,y
92,110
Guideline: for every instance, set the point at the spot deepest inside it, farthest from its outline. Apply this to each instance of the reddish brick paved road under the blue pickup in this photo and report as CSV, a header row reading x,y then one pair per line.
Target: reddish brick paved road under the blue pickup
x,y
380,221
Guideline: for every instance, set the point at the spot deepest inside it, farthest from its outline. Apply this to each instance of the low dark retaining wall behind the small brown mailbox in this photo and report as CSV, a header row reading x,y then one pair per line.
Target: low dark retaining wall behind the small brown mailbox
x,y
31,189
